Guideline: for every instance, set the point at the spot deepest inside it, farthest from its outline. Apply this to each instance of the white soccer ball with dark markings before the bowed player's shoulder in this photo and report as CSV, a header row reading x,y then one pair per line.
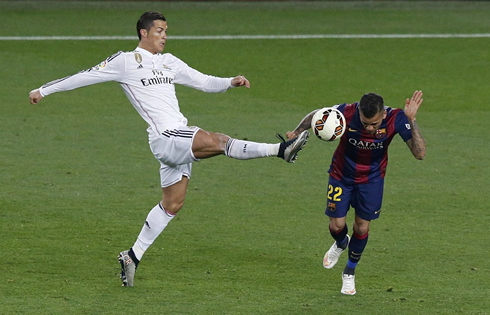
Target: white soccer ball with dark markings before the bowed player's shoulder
x,y
328,124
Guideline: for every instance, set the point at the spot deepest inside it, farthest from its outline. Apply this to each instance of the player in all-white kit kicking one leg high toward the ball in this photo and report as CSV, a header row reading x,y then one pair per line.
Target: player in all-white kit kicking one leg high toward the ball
x,y
148,78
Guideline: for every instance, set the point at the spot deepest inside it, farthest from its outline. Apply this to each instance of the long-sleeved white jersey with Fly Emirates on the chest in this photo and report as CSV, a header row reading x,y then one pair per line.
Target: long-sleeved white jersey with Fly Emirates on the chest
x,y
149,83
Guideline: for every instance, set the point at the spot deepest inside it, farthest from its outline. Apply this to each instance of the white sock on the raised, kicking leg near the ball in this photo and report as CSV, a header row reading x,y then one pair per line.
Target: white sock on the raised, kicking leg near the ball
x,y
245,150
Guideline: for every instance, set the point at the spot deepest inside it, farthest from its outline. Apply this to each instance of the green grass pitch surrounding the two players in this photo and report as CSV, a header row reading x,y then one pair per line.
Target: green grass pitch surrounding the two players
x,y
78,179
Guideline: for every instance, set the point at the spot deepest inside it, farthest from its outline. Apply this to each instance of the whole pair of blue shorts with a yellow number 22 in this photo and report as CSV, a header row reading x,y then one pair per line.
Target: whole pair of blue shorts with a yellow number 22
x,y
366,199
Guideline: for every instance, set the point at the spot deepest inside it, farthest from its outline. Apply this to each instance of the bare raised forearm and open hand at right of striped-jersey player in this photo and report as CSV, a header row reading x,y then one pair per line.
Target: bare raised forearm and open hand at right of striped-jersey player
x,y
417,143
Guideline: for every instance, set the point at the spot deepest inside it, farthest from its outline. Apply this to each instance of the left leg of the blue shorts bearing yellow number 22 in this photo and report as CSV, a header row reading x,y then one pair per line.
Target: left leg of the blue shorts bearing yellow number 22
x,y
338,198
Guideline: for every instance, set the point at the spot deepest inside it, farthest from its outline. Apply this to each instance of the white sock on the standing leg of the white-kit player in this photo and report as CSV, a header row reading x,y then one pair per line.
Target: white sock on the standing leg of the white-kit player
x,y
156,221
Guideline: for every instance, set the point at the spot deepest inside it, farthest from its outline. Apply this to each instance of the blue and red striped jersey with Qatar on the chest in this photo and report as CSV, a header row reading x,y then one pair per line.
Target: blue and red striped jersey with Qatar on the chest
x,y
361,157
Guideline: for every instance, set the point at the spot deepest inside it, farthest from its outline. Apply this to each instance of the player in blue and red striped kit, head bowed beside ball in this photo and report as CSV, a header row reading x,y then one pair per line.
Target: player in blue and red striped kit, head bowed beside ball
x,y
358,169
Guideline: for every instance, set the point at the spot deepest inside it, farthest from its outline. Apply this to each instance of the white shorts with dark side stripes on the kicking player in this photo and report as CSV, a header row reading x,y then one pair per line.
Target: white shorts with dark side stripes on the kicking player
x,y
173,149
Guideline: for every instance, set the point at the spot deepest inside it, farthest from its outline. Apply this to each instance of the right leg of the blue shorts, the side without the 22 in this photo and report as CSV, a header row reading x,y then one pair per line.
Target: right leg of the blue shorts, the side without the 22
x,y
367,200
